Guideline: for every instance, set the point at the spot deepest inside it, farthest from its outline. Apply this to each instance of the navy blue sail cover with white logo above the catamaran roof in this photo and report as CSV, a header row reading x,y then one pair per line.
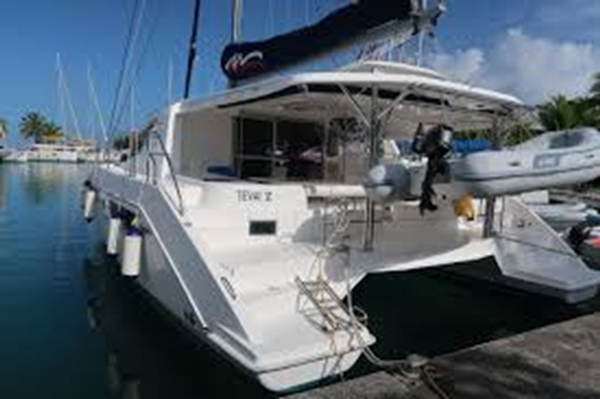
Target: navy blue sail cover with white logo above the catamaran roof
x,y
249,59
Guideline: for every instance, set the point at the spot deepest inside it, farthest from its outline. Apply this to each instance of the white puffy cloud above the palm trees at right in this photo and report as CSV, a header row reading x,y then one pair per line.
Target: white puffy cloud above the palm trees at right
x,y
531,68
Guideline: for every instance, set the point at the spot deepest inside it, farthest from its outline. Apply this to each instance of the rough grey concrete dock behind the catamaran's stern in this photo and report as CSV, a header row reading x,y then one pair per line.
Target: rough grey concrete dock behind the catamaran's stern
x,y
554,362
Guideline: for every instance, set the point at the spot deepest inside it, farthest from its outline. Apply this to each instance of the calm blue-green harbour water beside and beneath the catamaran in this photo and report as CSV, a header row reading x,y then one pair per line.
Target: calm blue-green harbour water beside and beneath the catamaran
x,y
71,328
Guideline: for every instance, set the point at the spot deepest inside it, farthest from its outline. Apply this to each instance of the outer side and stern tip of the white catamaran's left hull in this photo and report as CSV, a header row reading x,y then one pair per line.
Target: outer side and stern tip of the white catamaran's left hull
x,y
198,303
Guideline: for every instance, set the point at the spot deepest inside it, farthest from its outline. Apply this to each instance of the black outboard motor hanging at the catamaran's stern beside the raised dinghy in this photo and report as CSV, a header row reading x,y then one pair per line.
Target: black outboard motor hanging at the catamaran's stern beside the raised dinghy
x,y
436,144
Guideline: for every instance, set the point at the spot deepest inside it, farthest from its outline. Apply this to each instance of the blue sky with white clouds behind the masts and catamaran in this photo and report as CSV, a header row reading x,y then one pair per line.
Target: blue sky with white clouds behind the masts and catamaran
x,y
529,48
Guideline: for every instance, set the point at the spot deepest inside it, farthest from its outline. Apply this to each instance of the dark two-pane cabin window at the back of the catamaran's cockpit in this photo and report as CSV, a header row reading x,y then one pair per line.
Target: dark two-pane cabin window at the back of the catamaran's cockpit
x,y
279,150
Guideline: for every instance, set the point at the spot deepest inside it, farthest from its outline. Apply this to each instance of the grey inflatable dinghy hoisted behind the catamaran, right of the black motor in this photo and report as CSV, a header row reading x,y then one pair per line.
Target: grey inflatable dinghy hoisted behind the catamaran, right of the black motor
x,y
549,160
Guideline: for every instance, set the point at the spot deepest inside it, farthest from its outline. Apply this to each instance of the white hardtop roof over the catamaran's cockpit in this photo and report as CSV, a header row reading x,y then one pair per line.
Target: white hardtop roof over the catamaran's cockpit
x,y
417,95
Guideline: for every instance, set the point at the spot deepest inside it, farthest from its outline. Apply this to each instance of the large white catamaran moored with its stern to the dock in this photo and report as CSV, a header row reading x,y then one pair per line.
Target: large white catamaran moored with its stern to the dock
x,y
256,211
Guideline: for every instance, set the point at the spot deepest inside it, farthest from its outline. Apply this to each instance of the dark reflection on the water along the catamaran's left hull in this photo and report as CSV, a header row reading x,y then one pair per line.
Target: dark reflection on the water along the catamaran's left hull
x,y
147,355
